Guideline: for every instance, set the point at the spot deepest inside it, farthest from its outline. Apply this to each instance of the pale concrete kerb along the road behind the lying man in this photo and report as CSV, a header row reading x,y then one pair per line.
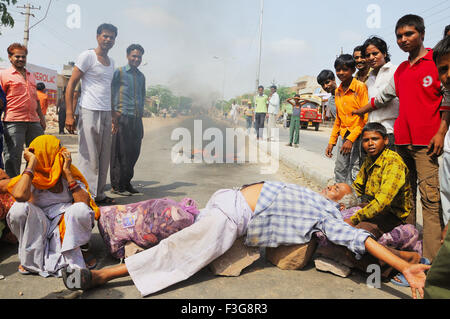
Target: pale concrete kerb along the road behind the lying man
x,y
314,167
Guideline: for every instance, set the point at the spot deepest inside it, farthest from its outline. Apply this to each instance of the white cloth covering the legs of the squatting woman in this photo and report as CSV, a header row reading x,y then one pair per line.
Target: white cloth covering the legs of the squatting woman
x,y
40,248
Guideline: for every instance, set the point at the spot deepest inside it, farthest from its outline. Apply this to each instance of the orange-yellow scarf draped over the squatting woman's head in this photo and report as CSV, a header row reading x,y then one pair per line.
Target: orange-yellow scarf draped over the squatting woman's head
x,y
49,164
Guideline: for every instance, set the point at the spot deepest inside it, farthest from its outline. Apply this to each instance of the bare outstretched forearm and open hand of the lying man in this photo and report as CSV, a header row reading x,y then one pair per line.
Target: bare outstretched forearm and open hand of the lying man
x,y
414,273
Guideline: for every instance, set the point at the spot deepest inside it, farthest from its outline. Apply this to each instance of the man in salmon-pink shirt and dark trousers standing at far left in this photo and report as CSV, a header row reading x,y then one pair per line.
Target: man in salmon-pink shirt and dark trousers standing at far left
x,y
23,119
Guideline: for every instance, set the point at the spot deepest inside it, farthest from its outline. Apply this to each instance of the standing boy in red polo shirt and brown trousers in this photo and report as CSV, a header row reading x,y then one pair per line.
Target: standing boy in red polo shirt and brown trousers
x,y
419,130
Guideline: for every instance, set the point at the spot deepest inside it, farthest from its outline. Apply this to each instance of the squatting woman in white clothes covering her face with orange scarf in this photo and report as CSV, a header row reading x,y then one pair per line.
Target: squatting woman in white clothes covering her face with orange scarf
x,y
54,213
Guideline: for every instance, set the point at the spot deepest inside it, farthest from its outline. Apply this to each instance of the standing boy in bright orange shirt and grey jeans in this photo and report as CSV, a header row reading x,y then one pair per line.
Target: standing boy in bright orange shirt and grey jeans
x,y
350,95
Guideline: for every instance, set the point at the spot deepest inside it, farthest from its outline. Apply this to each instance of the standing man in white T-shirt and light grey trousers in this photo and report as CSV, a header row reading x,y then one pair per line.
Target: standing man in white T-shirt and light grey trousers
x,y
96,70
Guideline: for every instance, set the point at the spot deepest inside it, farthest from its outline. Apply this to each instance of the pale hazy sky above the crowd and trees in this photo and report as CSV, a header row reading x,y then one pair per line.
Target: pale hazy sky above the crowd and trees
x,y
190,43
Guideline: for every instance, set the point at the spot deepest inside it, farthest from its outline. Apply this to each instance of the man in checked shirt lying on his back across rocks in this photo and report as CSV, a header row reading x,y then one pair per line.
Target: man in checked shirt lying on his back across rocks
x,y
271,213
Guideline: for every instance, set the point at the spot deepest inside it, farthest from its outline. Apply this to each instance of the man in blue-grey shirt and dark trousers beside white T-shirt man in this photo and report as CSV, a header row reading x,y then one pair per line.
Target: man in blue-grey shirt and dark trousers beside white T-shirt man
x,y
128,98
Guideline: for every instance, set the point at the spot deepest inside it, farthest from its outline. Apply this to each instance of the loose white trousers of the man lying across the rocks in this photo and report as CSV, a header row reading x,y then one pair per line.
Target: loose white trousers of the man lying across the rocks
x,y
181,255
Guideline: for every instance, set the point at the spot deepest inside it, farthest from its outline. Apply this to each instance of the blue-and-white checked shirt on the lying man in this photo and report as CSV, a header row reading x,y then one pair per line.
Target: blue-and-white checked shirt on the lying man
x,y
287,214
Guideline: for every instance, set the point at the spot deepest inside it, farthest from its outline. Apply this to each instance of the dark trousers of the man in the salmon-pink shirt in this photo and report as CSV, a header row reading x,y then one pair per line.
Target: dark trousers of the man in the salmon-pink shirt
x,y
17,134
